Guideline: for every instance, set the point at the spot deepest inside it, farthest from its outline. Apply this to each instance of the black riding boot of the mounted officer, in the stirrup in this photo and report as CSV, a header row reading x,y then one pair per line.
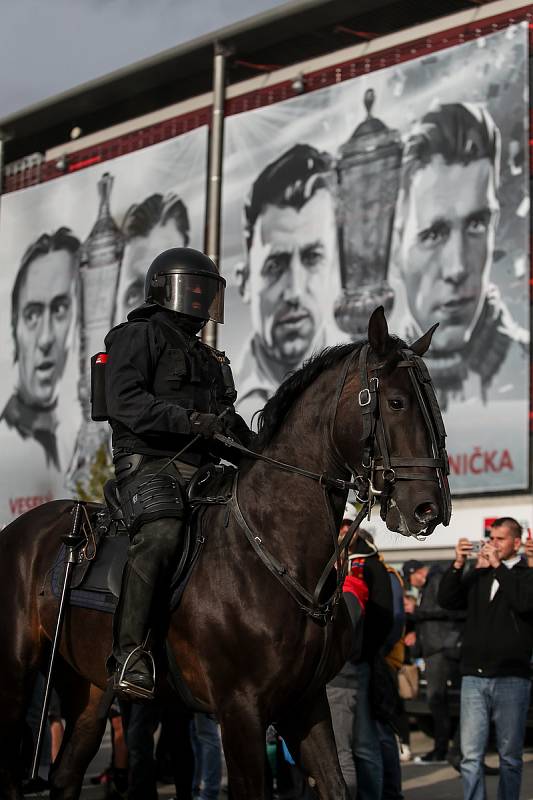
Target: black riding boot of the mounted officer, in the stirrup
x,y
133,663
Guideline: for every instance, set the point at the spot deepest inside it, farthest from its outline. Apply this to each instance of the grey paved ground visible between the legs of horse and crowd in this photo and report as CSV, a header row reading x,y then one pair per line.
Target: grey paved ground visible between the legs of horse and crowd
x,y
419,783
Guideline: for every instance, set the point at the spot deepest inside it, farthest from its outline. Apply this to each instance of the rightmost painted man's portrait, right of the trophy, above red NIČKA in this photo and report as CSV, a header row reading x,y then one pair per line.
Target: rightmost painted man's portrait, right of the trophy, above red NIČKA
x,y
446,221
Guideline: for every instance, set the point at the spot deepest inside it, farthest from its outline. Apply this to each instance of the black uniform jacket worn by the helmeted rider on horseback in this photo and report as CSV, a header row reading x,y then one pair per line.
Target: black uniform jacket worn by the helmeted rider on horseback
x,y
157,372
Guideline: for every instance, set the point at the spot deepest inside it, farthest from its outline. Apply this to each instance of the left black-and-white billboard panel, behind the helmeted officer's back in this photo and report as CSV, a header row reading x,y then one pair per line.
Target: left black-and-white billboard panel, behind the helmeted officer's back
x,y
74,253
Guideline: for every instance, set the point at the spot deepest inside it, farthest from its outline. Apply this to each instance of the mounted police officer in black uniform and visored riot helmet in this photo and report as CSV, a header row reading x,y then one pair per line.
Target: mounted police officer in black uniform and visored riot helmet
x,y
163,388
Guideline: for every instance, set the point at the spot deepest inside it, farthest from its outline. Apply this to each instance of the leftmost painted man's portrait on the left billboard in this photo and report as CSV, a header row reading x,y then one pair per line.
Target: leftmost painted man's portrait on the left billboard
x,y
42,301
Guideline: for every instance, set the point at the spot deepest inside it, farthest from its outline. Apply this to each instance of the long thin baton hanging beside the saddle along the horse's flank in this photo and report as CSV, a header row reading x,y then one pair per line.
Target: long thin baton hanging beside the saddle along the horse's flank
x,y
72,541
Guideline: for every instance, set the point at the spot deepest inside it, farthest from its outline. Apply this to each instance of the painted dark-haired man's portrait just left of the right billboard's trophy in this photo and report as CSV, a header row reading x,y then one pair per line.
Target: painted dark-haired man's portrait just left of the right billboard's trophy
x,y
287,278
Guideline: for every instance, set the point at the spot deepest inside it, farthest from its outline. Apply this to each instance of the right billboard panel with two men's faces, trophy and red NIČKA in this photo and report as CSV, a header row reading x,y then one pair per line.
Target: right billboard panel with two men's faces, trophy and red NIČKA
x,y
406,187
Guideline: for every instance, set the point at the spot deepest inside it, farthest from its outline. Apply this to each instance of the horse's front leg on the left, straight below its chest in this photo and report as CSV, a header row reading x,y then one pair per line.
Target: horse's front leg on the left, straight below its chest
x,y
243,738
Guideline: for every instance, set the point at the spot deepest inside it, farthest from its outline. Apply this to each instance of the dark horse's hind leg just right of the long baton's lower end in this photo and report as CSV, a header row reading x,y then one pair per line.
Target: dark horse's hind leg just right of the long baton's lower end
x,y
85,725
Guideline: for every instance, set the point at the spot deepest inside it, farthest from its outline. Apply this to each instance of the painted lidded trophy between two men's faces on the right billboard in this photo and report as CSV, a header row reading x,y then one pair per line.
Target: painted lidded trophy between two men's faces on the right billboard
x,y
368,174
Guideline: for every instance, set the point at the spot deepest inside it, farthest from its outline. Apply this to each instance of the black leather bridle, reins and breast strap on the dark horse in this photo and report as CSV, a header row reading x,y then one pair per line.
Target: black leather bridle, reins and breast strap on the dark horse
x,y
392,468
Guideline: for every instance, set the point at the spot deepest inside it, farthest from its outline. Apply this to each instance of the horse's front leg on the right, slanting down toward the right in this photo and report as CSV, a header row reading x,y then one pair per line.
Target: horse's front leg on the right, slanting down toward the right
x,y
308,733
